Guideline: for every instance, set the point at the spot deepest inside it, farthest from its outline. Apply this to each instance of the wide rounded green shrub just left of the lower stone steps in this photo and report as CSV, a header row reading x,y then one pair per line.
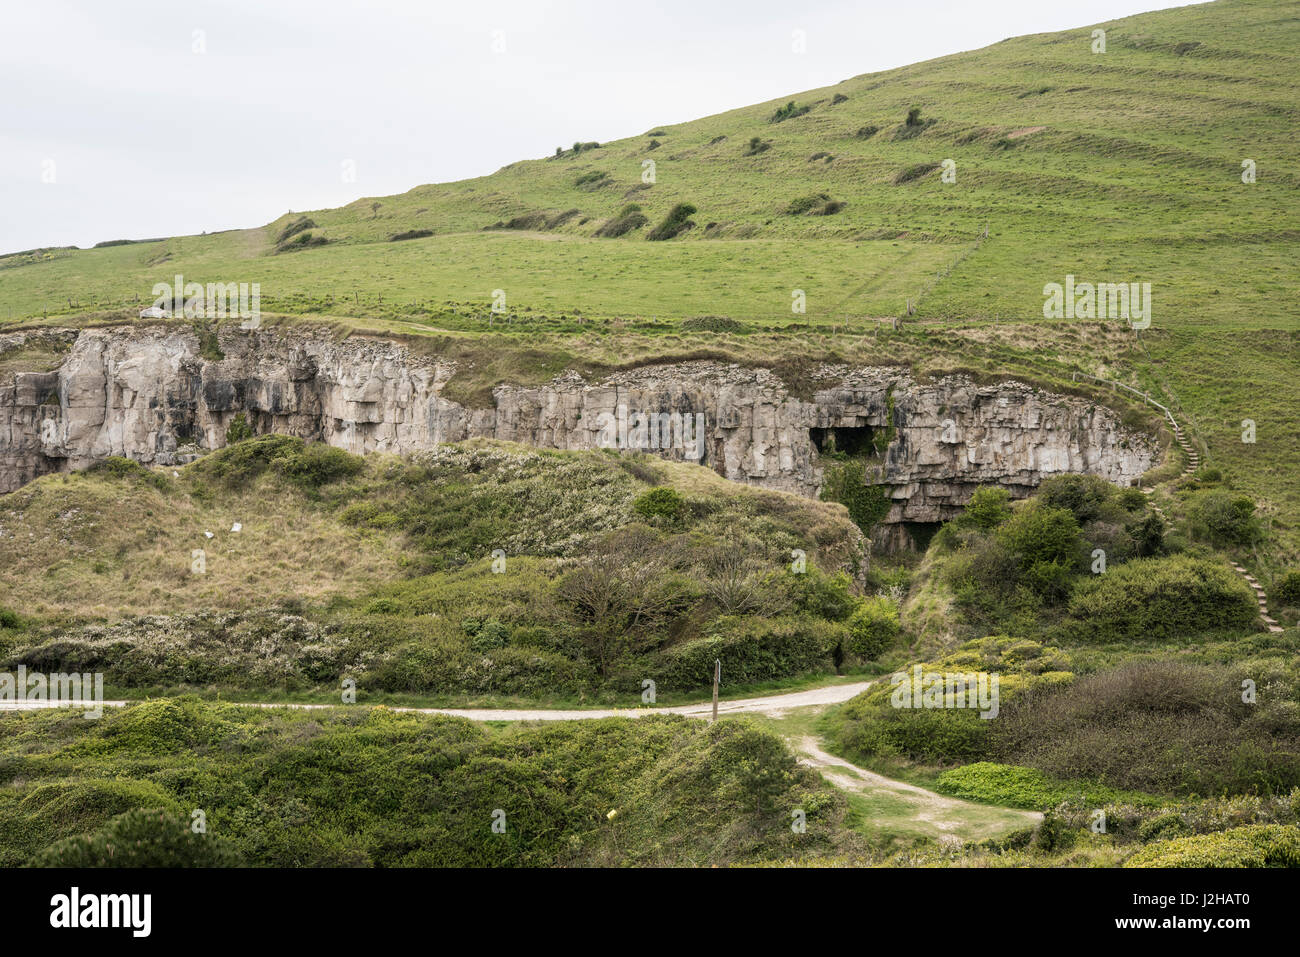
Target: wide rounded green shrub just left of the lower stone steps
x,y
1162,599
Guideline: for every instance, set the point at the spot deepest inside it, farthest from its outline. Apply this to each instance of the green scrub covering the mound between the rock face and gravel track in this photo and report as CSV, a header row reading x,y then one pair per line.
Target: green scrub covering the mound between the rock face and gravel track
x,y
616,578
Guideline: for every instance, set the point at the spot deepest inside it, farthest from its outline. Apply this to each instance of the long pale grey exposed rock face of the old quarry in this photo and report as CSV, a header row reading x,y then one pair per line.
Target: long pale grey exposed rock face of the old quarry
x,y
151,396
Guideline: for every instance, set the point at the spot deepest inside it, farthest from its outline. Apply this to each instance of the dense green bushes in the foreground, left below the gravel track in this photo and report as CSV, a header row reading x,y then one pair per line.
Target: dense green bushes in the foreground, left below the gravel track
x,y
369,787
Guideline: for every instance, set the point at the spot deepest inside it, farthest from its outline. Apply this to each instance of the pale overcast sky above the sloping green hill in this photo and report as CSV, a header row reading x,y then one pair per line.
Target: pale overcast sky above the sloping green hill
x,y
133,119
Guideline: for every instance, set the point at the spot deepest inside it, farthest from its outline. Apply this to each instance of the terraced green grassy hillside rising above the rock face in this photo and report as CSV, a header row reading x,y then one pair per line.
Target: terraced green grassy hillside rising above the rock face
x,y
1121,166
